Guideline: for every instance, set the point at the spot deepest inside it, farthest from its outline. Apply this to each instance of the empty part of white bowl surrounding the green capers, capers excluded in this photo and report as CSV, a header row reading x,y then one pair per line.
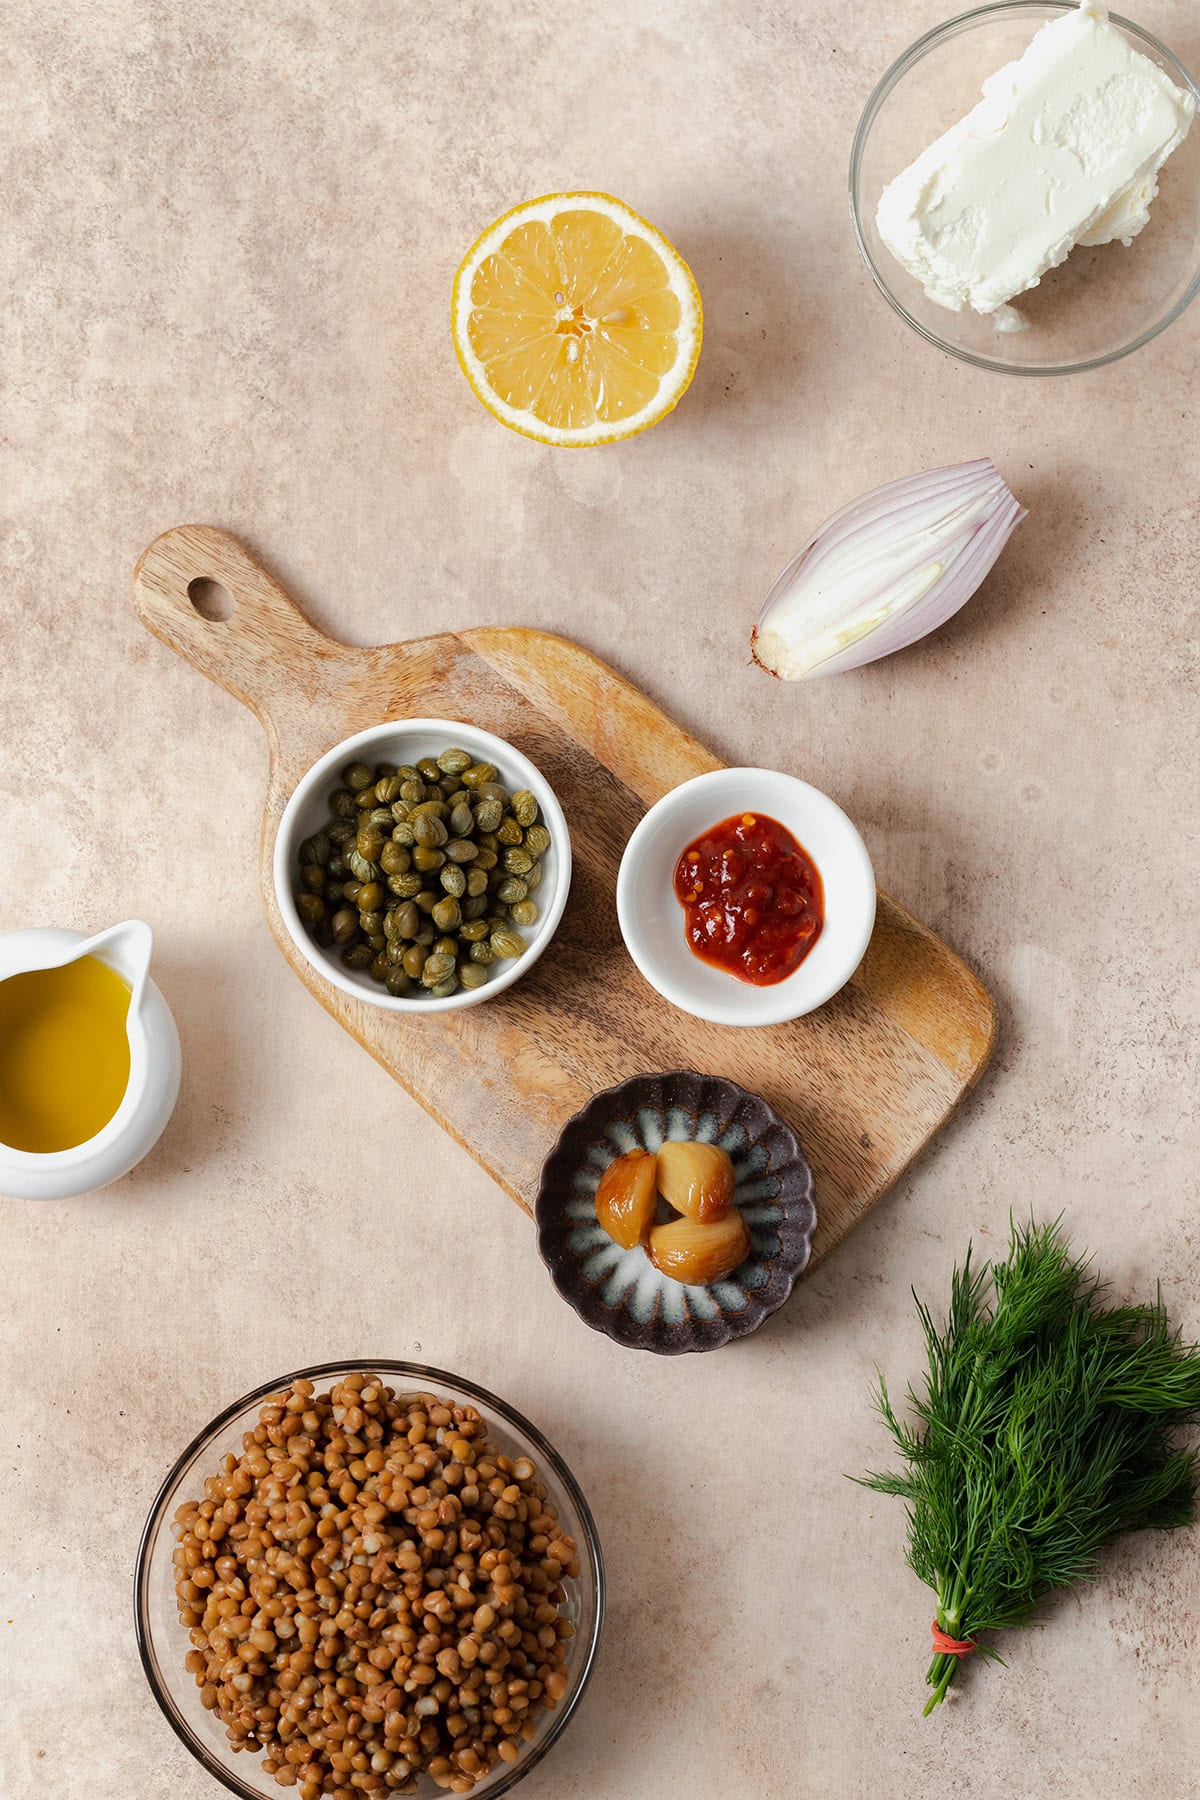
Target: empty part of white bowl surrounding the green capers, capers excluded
x,y
406,741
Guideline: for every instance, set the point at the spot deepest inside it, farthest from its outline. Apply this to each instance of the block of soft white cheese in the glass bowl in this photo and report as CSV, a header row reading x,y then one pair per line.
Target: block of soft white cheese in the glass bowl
x,y
1064,148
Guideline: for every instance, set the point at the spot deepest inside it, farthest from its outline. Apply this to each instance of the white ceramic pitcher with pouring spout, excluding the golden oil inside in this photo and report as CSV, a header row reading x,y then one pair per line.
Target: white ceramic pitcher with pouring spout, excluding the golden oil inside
x,y
154,1065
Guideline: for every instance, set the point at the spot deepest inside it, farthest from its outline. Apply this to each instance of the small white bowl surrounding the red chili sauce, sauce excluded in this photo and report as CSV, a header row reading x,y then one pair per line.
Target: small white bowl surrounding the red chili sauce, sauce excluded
x,y
652,919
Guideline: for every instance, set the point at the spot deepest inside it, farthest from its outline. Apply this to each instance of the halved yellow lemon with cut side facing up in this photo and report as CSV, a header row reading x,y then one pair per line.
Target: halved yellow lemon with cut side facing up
x,y
577,323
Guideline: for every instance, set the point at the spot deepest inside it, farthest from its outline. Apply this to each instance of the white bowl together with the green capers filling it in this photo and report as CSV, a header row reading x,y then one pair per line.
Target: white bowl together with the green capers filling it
x,y
422,865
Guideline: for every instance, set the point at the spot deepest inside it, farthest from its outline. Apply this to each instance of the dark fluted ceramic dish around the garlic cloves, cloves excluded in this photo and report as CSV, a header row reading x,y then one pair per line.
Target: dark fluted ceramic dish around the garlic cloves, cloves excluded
x,y
620,1291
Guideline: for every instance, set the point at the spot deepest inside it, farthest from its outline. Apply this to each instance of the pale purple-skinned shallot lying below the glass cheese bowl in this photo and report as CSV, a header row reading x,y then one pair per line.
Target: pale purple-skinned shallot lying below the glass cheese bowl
x,y
915,552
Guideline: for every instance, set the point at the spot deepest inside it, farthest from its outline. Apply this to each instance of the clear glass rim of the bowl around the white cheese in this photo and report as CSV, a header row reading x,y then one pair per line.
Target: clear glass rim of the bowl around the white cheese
x,y
908,60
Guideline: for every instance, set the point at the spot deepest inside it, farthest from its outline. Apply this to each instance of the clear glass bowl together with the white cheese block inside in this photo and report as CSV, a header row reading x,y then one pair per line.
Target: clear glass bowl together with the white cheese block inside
x,y
1026,186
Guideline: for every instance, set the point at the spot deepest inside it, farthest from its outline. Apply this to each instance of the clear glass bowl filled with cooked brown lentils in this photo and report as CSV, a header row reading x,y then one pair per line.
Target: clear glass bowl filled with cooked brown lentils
x,y
370,1579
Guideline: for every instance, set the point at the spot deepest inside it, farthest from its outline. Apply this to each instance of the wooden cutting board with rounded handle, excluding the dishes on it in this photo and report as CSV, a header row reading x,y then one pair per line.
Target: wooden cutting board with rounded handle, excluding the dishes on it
x,y
866,1081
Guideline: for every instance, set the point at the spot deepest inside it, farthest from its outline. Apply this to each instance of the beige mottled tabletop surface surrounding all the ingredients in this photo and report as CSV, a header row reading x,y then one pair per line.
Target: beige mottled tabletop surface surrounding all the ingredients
x,y
229,237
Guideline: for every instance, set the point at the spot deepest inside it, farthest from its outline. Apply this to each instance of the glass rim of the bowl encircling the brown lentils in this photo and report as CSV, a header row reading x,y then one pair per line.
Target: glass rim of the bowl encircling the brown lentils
x,y
425,1376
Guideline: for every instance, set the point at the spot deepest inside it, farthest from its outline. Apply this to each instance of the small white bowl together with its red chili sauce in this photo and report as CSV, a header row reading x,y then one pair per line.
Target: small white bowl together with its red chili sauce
x,y
746,897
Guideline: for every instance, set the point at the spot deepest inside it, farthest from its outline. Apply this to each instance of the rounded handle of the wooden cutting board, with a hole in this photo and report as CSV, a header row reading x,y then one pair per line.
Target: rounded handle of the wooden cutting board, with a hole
x,y
264,647
